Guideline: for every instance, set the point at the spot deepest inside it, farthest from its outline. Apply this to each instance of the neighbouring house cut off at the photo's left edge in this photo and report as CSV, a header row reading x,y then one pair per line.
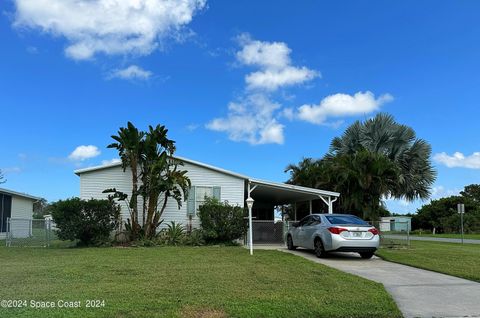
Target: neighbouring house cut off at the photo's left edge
x,y
19,206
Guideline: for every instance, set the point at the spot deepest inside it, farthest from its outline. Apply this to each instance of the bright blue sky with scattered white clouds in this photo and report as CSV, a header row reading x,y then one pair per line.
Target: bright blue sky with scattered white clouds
x,y
248,86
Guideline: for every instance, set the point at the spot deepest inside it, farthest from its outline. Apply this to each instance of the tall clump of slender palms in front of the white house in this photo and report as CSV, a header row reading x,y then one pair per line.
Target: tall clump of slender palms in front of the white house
x,y
149,155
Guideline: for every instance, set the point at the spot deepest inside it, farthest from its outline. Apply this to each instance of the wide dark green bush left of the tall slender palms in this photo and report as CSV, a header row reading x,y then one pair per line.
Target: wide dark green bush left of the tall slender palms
x,y
90,222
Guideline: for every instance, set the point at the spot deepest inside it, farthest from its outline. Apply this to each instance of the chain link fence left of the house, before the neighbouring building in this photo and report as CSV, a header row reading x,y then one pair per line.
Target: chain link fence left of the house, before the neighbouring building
x,y
29,232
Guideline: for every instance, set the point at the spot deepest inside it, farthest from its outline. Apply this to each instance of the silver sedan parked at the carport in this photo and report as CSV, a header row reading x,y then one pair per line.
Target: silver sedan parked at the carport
x,y
334,232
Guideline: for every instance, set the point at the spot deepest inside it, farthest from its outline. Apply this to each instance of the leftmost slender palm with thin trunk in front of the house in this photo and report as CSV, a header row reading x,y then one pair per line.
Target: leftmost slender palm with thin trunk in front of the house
x,y
129,146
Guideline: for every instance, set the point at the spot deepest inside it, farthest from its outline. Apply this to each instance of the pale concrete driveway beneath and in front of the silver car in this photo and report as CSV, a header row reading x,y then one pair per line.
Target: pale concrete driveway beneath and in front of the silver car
x,y
417,292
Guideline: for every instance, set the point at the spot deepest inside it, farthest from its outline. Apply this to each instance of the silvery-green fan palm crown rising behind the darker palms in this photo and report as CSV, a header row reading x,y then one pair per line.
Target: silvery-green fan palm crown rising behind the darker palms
x,y
382,135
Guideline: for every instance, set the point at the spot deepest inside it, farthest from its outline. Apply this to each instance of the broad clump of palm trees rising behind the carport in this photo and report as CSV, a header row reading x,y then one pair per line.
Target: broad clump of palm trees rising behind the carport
x,y
372,160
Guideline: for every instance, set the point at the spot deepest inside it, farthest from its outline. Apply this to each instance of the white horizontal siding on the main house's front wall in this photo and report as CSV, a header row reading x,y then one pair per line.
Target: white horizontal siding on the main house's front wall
x,y
94,182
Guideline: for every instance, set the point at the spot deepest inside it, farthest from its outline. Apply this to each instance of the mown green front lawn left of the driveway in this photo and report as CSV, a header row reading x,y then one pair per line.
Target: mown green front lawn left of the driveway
x,y
186,282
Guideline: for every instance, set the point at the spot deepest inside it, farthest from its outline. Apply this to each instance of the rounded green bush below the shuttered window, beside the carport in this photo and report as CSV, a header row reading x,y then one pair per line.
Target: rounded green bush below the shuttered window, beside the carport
x,y
221,222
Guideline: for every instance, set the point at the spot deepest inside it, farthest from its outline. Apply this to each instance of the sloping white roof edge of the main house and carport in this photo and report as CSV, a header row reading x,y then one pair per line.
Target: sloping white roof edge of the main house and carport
x,y
308,192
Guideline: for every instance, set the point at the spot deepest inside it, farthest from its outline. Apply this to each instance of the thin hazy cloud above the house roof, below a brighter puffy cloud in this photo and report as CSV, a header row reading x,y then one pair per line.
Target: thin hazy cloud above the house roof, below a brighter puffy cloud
x,y
251,120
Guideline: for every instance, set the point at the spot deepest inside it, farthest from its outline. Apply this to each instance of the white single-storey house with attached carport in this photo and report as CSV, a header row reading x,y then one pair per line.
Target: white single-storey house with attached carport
x,y
206,180
